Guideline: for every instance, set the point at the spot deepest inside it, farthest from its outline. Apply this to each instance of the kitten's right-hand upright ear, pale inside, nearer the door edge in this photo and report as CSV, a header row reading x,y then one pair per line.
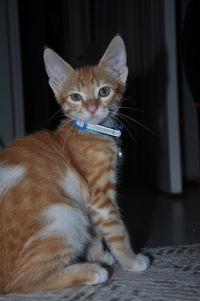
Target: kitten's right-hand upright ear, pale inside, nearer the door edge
x,y
114,59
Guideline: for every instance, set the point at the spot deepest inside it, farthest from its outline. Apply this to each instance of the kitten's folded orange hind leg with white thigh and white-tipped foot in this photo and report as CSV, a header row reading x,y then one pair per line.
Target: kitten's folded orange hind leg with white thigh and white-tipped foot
x,y
45,262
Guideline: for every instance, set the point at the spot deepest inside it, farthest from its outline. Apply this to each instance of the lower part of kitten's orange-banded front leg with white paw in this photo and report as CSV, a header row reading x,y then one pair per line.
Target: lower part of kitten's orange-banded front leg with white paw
x,y
105,216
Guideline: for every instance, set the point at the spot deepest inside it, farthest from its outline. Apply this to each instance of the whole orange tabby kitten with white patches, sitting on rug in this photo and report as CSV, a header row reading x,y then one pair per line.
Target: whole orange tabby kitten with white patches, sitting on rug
x,y
57,188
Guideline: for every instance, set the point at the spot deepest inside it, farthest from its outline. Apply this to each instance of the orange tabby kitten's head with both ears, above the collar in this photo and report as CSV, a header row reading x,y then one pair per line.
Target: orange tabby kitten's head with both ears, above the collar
x,y
89,93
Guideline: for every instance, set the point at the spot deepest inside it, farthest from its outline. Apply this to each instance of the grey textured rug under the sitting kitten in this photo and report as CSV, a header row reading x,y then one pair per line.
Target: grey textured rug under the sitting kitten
x,y
173,276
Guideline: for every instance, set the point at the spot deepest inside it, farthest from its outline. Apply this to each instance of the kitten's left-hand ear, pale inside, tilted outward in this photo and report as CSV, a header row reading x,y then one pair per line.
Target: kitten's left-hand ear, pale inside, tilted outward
x,y
57,69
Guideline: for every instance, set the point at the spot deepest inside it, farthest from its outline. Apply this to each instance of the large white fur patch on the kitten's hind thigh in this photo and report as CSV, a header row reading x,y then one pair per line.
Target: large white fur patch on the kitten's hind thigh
x,y
65,221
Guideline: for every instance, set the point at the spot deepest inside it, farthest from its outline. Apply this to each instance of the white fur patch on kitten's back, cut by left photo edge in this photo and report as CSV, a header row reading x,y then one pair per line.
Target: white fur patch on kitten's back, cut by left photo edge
x,y
10,176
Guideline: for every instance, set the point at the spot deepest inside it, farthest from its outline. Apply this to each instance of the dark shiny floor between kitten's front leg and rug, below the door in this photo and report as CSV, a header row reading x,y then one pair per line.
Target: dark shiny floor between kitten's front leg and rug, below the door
x,y
156,219
